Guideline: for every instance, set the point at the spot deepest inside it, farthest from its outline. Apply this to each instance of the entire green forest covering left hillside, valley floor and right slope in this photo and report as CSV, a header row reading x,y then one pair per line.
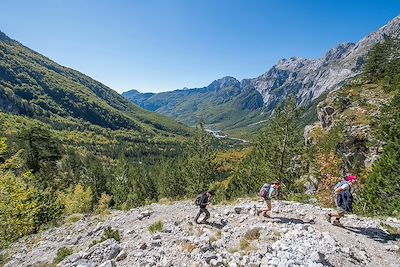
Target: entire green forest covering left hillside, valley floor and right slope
x,y
69,145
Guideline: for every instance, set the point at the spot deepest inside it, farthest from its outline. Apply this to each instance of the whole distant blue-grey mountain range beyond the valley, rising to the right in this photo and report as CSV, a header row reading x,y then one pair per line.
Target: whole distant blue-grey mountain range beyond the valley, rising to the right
x,y
241,106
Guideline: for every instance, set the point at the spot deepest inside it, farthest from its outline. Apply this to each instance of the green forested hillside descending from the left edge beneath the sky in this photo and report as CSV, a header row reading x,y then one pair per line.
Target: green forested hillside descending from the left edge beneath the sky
x,y
35,86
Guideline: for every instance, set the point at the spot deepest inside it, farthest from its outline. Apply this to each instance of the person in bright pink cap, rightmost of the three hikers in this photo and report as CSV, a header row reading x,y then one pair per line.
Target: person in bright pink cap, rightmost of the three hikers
x,y
343,200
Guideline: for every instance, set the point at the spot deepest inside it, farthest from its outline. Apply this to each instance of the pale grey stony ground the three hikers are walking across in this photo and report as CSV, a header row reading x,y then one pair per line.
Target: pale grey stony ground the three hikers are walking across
x,y
296,235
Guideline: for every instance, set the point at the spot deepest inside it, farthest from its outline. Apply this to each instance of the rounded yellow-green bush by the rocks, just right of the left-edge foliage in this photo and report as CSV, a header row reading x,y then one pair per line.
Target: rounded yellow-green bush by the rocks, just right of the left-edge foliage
x,y
77,200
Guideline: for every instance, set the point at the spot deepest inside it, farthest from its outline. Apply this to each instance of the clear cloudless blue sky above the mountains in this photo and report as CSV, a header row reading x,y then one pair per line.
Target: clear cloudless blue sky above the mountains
x,y
160,45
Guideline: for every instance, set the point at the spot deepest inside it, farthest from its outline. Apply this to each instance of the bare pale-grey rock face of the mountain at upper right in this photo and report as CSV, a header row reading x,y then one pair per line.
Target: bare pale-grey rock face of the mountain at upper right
x,y
308,79
